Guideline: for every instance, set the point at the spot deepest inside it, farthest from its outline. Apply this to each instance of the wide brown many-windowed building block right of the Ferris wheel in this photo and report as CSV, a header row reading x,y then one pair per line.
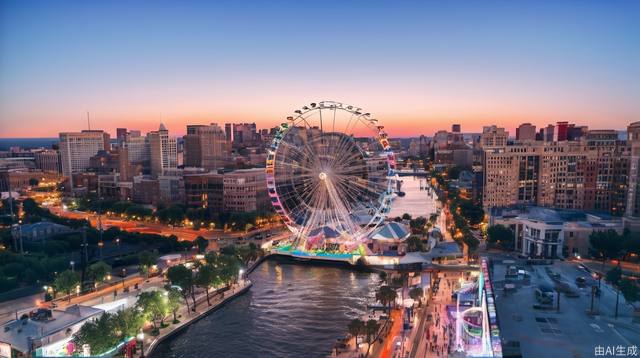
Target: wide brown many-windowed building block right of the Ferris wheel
x,y
589,174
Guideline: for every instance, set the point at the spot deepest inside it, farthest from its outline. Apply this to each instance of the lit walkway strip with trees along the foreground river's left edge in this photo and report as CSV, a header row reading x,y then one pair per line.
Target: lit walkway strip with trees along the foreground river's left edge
x,y
188,318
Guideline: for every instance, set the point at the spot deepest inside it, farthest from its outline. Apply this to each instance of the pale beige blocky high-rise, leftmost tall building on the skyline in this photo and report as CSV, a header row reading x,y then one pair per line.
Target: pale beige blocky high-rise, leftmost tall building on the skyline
x,y
76,149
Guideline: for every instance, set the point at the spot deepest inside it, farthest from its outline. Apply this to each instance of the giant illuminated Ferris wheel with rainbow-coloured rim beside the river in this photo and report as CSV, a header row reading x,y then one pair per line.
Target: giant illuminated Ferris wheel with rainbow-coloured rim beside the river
x,y
330,175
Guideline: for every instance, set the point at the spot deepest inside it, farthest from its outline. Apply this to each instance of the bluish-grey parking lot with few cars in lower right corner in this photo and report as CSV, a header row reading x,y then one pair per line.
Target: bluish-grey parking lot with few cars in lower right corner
x,y
569,332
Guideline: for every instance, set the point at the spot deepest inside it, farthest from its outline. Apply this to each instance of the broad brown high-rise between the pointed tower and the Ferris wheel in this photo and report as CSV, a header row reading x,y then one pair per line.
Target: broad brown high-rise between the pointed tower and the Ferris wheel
x,y
205,146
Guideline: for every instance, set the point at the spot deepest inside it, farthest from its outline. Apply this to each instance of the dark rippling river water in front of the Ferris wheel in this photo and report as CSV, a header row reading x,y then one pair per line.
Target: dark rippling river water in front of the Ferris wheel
x,y
292,310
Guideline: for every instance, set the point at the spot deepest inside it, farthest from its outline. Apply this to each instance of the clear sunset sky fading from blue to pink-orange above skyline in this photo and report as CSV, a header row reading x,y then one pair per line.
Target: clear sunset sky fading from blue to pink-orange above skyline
x,y
418,66
